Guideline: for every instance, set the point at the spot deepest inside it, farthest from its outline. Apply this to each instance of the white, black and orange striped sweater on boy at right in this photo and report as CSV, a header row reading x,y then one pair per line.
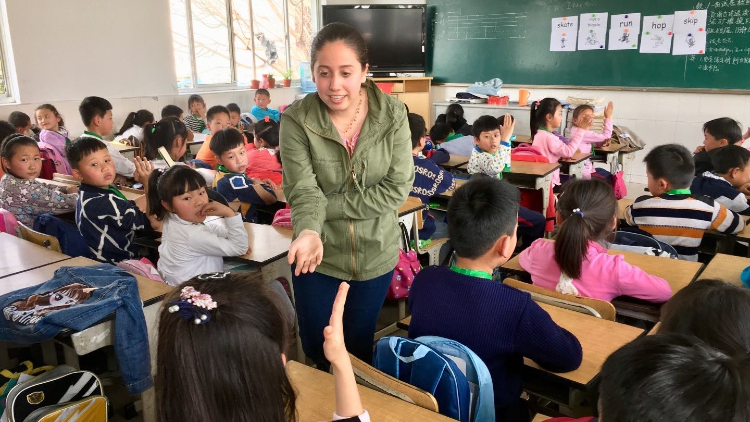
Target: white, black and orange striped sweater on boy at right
x,y
681,220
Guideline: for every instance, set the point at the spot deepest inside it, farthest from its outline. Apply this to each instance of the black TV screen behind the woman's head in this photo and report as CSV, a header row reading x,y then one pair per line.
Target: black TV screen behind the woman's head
x,y
394,34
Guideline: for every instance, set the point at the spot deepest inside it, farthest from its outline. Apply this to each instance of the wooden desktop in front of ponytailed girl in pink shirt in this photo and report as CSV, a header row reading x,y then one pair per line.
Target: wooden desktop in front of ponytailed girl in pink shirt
x,y
676,272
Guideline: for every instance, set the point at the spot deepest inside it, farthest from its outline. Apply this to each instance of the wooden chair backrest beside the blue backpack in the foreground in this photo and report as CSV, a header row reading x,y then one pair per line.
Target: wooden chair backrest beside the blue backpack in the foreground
x,y
385,383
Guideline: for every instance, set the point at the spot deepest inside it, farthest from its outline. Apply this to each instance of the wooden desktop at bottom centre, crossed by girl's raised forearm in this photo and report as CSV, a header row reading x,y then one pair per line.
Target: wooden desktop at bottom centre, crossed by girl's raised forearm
x,y
316,399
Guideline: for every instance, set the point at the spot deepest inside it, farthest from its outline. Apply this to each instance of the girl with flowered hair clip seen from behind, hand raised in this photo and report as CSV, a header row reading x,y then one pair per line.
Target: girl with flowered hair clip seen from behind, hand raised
x,y
221,358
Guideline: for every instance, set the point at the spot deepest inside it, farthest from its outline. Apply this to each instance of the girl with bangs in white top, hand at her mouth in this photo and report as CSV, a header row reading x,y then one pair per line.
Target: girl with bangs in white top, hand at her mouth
x,y
191,245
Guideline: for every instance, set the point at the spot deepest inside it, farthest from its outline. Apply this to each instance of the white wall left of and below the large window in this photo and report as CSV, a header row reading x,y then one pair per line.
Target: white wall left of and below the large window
x,y
119,50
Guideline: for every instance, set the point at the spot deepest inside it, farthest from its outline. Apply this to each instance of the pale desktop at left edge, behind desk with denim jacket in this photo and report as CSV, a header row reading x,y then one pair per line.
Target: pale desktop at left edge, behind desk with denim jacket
x,y
20,255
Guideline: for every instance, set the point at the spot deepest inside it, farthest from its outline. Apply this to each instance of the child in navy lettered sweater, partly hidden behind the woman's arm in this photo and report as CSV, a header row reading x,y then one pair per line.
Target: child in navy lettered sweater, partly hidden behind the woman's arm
x,y
429,180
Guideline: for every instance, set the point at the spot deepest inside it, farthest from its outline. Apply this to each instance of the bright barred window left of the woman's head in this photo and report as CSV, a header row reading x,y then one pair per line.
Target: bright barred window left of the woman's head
x,y
232,42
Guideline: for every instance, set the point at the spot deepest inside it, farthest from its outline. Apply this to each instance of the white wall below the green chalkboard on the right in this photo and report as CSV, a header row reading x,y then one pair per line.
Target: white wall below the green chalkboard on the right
x,y
657,117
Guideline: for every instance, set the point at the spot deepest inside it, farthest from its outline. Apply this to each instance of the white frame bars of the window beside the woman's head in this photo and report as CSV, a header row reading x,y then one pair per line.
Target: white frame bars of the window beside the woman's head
x,y
232,86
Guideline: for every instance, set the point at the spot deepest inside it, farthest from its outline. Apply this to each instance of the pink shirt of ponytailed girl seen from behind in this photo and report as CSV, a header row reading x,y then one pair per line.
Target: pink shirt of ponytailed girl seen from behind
x,y
603,276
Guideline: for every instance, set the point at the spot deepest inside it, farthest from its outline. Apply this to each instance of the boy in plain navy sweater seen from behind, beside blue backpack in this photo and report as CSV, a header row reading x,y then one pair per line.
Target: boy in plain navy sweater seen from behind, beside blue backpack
x,y
500,324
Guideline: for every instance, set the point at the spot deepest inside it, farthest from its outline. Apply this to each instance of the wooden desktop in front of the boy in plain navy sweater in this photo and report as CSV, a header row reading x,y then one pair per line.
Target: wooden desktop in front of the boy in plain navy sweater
x,y
599,338
